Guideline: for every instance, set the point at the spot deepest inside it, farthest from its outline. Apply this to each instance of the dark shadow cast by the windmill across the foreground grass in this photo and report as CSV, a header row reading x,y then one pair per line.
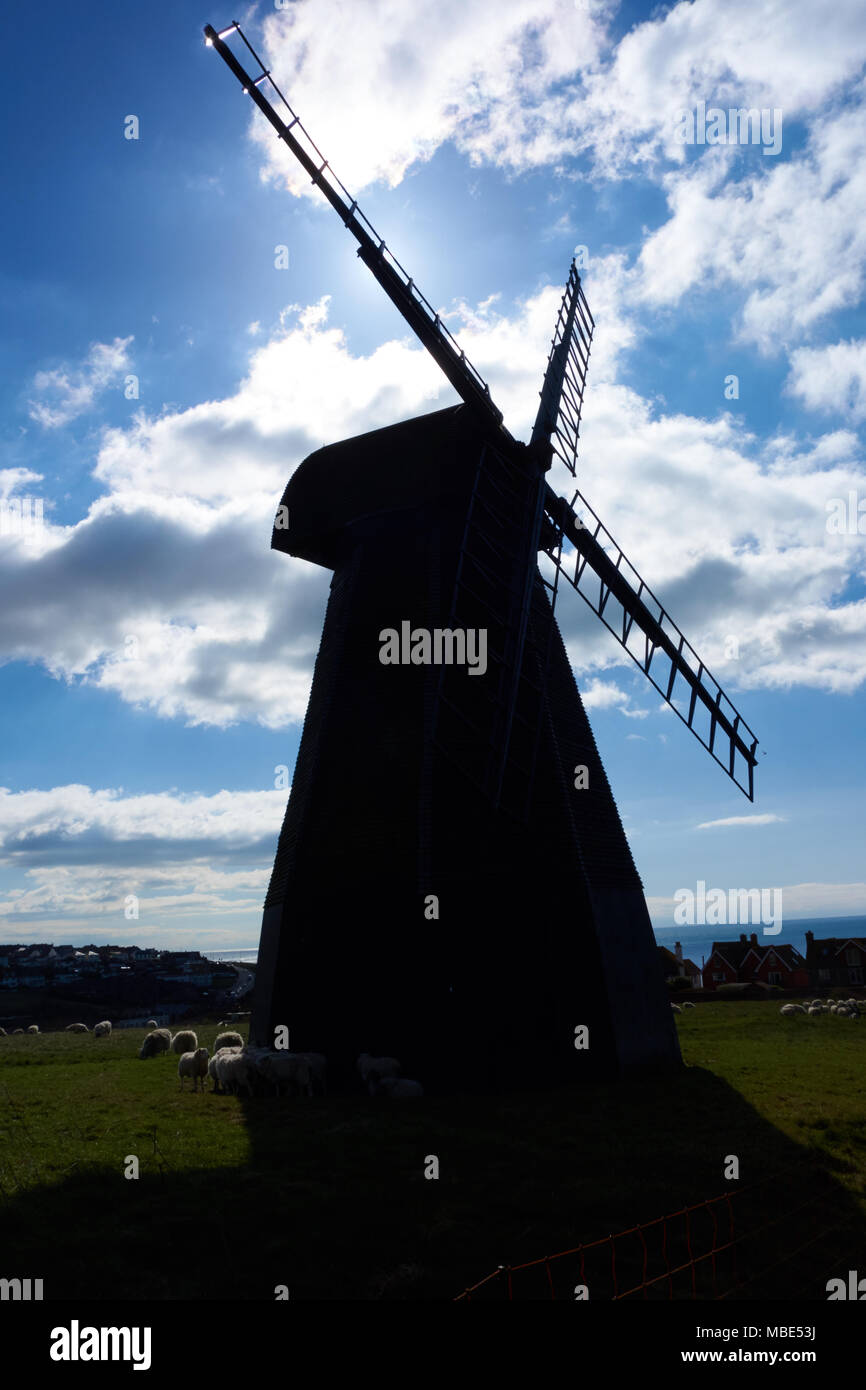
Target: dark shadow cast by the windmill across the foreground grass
x,y
333,1202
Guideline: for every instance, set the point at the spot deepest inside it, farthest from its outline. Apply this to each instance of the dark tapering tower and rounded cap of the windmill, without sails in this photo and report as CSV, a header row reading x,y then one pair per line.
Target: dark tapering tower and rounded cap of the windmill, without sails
x,y
540,926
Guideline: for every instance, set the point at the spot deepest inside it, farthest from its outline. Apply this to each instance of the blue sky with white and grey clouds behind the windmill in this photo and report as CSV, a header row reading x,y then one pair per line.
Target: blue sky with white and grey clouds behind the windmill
x,y
186,319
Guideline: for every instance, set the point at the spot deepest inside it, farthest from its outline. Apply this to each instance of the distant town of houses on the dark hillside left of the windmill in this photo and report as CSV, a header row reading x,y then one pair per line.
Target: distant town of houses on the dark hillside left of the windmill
x,y
133,983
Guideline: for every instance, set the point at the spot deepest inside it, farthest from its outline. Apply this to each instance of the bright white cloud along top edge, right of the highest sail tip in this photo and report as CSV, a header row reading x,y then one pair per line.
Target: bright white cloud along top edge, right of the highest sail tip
x,y
539,83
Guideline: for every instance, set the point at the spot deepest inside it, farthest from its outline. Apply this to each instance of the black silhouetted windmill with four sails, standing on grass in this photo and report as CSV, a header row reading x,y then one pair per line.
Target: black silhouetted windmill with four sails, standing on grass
x,y
452,883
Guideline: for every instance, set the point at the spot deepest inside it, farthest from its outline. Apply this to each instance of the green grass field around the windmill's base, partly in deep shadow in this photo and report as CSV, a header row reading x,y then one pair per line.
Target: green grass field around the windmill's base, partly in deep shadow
x,y
329,1196
